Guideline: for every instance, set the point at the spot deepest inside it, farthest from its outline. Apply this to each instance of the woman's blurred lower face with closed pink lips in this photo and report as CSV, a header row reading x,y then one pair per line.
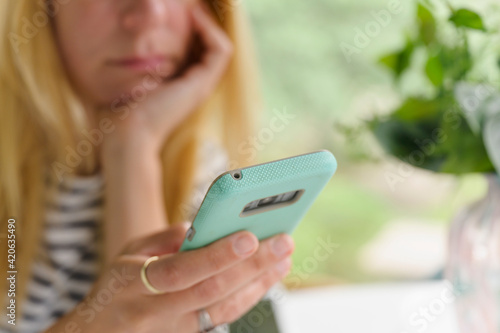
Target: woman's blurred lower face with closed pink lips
x,y
111,46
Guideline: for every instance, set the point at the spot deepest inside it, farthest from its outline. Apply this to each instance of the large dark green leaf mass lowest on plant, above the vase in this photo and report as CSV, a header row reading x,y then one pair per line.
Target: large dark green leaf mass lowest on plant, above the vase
x,y
424,134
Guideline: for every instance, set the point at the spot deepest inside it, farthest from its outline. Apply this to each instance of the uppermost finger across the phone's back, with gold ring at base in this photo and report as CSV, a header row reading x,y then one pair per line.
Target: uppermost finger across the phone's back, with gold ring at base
x,y
183,270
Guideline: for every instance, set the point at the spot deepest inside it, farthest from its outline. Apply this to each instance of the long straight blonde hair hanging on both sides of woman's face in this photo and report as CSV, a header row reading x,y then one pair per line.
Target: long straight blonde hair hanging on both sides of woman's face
x,y
42,116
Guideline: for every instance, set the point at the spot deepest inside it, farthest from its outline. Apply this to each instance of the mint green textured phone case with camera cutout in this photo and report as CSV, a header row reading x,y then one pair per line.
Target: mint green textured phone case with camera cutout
x,y
220,213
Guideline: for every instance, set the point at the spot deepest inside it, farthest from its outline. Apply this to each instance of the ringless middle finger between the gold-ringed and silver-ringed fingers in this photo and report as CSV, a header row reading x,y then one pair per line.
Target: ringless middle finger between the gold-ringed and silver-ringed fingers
x,y
271,251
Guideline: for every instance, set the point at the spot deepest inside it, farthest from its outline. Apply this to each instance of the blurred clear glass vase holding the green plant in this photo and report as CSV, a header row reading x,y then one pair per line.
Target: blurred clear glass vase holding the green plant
x,y
473,266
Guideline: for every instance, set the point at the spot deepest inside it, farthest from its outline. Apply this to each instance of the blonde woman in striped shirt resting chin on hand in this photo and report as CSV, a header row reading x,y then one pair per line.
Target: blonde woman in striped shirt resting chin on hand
x,y
123,93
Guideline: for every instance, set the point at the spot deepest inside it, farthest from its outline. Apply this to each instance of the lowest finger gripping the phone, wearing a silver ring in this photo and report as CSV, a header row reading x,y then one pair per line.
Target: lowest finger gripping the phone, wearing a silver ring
x,y
240,302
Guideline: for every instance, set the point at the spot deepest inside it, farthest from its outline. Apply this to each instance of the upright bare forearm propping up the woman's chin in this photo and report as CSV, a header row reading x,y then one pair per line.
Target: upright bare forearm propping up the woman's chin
x,y
134,197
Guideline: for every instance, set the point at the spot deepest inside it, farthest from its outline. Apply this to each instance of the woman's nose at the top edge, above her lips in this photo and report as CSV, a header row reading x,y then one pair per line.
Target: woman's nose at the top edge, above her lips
x,y
143,14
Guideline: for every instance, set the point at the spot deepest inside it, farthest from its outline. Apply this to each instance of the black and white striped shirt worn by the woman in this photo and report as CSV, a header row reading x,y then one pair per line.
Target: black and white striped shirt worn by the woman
x,y
67,262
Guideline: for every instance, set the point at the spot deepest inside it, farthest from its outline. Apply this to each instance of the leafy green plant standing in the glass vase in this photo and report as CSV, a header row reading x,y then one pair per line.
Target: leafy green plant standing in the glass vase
x,y
455,128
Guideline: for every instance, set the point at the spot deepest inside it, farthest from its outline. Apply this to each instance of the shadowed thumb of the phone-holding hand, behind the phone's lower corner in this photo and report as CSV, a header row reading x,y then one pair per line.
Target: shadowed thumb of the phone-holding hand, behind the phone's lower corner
x,y
164,242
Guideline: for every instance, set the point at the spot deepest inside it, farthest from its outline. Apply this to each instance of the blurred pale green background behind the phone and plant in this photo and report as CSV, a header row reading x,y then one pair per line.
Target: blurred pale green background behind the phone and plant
x,y
374,230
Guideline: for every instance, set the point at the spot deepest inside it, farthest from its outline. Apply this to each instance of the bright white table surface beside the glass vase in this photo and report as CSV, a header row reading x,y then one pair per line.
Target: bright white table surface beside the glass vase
x,y
373,308
